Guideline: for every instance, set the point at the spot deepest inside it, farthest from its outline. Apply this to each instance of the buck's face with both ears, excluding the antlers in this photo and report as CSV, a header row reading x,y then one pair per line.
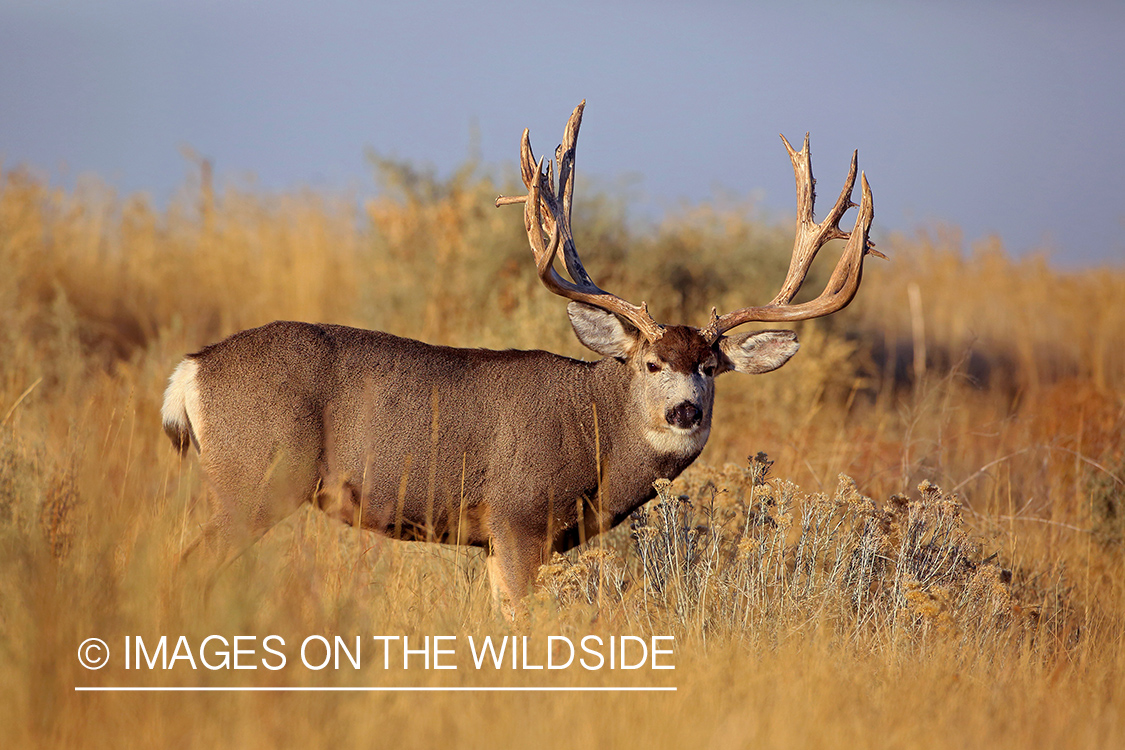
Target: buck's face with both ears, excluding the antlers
x,y
673,377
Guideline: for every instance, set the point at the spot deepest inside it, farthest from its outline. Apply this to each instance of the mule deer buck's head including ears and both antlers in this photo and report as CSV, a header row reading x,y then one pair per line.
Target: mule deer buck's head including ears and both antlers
x,y
672,368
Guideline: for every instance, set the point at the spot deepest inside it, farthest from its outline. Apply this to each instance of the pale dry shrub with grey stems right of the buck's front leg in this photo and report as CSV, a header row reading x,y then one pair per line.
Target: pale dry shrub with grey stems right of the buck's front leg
x,y
740,554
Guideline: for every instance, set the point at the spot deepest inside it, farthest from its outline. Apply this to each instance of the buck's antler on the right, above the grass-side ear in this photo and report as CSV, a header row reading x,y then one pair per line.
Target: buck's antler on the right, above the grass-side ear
x,y
811,239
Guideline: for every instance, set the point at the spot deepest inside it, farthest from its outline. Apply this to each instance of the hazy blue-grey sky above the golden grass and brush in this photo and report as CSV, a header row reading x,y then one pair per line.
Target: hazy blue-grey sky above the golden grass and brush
x,y
1002,118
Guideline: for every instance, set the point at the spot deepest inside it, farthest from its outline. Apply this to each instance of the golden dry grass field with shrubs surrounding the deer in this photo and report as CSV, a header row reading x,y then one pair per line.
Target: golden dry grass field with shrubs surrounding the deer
x,y
911,537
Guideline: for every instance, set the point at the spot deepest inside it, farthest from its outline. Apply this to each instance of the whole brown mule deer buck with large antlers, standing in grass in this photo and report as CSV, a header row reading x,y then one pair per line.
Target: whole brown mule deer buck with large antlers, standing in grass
x,y
519,453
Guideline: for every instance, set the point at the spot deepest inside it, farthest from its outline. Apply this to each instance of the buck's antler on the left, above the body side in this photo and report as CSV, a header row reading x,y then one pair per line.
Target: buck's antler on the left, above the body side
x,y
548,212
